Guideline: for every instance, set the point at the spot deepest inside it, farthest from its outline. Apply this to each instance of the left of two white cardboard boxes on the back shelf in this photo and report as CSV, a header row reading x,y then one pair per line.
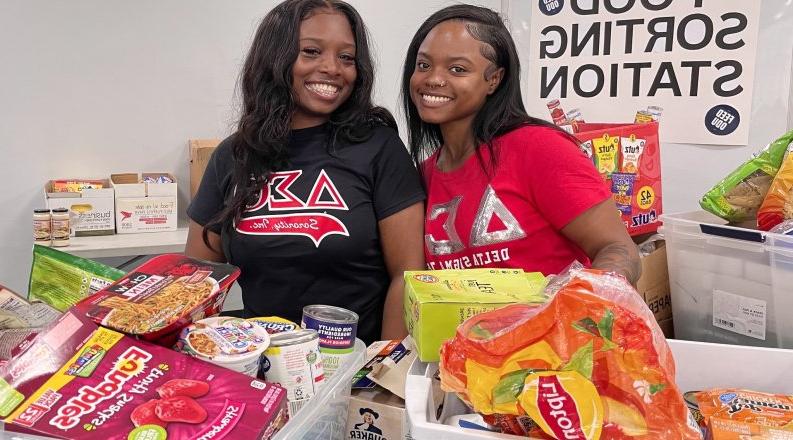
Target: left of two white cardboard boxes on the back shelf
x,y
91,210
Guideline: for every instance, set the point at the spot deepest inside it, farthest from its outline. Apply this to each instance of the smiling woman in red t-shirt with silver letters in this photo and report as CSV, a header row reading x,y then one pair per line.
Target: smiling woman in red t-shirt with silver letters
x,y
504,189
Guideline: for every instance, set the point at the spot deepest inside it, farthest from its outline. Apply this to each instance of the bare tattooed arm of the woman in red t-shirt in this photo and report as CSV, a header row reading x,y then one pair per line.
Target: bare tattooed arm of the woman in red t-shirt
x,y
601,234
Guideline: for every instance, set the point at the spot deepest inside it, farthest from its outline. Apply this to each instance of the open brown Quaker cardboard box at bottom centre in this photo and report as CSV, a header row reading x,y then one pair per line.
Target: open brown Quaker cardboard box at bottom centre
x,y
377,405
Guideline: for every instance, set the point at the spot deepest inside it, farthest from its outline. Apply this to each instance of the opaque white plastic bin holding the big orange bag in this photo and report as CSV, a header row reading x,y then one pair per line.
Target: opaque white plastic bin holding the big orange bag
x,y
699,366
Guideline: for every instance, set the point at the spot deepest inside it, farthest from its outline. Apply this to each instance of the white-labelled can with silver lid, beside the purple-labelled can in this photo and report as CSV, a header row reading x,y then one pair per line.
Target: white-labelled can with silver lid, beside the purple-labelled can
x,y
294,361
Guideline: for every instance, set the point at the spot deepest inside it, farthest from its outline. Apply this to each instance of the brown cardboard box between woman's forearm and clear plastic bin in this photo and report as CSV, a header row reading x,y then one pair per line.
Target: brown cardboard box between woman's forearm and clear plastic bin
x,y
654,287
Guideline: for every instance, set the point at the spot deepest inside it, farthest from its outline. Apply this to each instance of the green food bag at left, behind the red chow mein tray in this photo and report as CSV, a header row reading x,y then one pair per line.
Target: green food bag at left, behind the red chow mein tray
x,y
61,280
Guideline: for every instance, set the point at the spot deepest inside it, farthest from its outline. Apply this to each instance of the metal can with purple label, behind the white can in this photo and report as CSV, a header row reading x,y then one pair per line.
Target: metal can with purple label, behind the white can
x,y
337,328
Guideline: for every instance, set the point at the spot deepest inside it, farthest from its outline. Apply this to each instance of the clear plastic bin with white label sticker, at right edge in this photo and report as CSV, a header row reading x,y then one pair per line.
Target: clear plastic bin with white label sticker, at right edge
x,y
729,284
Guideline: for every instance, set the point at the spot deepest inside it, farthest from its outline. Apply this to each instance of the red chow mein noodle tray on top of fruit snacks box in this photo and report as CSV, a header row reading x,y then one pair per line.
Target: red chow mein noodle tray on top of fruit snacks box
x,y
159,298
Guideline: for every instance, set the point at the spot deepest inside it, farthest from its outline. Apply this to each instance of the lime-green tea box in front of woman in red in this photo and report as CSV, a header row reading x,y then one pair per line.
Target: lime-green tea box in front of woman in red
x,y
437,301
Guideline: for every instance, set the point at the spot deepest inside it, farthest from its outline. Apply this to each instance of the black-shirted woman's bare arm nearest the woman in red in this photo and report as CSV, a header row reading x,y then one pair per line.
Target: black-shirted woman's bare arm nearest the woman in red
x,y
402,238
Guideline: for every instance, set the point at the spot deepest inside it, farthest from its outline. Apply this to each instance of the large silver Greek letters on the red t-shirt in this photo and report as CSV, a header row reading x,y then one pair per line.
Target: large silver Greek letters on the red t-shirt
x,y
489,206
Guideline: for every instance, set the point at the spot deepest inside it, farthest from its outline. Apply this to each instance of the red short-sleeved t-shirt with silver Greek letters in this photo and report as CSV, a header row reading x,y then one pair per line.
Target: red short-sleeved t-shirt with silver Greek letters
x,y
541,183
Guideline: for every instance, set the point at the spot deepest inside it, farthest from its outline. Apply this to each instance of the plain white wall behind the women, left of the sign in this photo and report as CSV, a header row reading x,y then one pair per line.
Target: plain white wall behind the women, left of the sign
x,y
93,87
